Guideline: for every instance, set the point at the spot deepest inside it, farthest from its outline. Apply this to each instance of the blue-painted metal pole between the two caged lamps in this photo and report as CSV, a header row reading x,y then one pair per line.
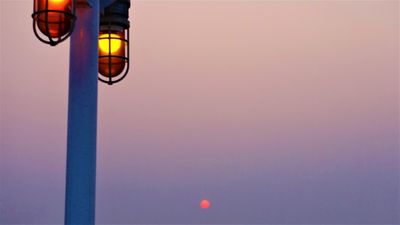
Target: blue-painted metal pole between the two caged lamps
x,y
82,117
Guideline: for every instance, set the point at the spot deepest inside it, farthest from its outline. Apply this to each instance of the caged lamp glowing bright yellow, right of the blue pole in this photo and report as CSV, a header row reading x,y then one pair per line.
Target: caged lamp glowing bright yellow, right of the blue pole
x,y
114,42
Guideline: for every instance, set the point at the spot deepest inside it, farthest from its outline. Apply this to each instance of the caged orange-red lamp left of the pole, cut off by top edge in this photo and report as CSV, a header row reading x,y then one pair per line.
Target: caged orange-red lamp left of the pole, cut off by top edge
x,y
55,19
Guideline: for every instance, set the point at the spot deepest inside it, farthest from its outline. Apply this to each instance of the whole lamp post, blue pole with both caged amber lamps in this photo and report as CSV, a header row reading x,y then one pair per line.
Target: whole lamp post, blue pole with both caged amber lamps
x,y
89,54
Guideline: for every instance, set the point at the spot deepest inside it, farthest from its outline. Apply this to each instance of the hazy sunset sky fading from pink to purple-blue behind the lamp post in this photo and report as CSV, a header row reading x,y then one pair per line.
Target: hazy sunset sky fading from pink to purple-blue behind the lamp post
x,y
276,111
